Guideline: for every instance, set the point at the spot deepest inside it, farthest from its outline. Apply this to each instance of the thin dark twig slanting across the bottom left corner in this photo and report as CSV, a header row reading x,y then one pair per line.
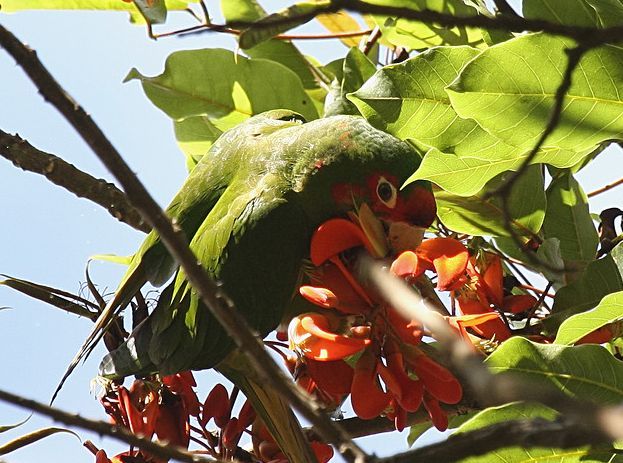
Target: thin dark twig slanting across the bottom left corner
x,y
104,429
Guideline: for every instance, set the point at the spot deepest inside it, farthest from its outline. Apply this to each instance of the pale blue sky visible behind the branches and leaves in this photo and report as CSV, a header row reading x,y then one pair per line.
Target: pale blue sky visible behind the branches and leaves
x,y
47,235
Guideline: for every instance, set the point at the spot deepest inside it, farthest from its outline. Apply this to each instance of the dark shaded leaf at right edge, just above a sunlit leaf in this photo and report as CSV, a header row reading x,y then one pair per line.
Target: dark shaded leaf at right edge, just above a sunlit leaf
x,y
600,279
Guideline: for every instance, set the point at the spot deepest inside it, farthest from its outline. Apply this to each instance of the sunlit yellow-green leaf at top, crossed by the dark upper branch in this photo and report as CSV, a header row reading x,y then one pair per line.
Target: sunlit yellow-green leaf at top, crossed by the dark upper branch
x,y
415,35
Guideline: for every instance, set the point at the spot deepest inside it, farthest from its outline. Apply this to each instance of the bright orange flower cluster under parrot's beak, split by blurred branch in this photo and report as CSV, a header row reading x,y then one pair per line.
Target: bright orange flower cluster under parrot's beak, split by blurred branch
x,y
356,345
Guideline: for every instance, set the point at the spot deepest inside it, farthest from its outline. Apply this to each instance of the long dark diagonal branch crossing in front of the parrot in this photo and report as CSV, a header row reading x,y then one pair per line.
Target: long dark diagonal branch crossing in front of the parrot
x,y
210,291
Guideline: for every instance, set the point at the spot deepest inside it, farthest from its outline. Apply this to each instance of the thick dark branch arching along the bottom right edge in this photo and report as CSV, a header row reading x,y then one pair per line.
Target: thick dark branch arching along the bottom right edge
x,y
536,432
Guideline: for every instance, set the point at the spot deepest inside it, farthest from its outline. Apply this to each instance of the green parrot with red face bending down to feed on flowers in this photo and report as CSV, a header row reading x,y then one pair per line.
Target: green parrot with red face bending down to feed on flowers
x,y
249,208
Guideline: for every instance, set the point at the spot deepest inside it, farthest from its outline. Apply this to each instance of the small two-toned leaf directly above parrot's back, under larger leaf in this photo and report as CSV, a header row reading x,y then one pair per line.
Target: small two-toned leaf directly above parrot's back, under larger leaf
x,y
195,136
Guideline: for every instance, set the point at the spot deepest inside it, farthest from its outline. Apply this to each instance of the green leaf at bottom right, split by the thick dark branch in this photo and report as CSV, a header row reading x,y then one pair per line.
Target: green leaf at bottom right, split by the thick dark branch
x,y
518,411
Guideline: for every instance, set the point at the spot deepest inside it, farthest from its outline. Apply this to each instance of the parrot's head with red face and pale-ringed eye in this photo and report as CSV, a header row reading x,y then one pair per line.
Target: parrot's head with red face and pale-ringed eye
x,y
353,164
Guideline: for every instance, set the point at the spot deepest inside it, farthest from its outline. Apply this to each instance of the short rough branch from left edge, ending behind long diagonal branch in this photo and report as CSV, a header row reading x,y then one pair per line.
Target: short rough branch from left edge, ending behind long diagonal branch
x,y
25,156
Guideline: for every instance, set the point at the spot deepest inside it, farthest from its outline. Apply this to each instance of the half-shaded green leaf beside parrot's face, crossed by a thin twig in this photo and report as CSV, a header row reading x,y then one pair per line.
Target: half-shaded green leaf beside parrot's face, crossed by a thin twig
x,y
476,216
